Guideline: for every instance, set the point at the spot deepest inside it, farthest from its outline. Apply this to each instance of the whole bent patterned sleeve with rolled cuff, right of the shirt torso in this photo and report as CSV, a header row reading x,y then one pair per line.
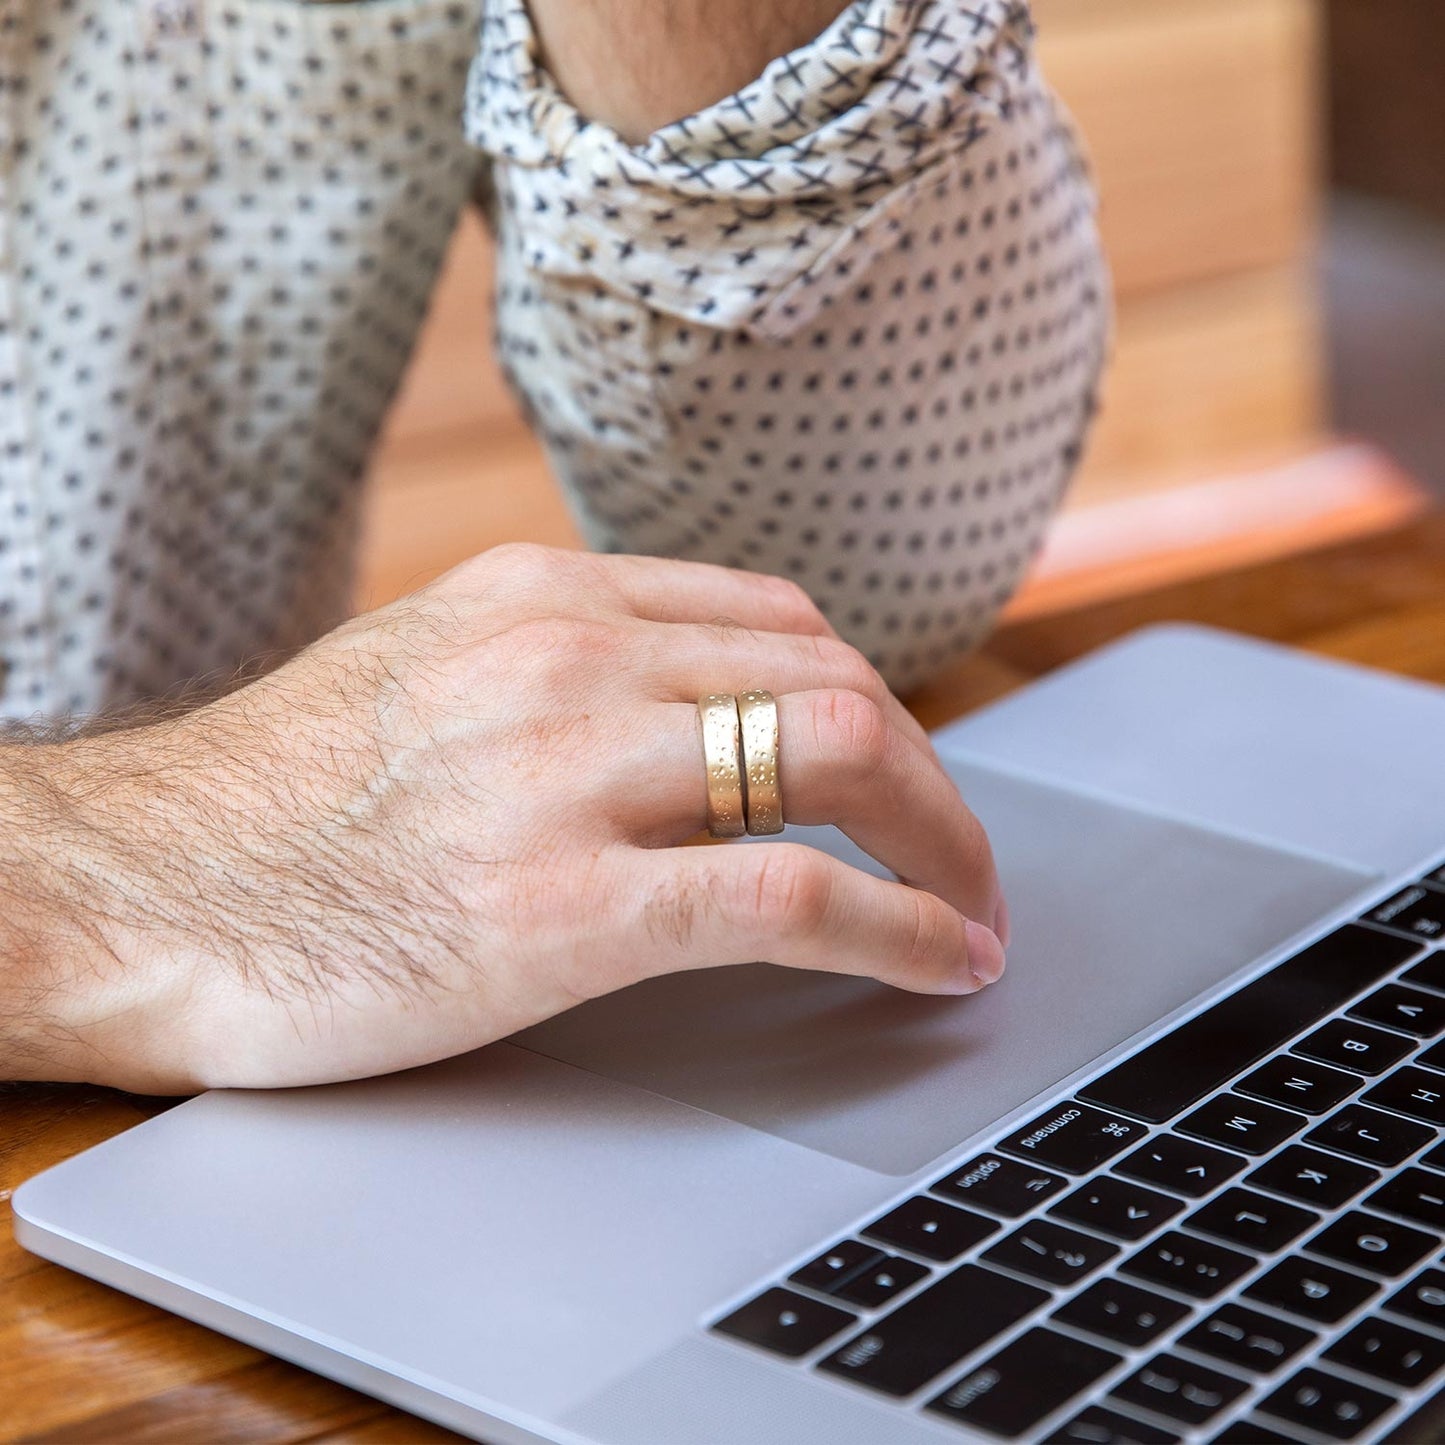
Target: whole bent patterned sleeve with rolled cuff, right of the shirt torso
x,y
845,326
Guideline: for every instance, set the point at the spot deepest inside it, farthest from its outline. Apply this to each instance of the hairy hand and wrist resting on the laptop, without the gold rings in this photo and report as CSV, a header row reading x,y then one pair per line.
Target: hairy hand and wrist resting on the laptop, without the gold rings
x,y
459,816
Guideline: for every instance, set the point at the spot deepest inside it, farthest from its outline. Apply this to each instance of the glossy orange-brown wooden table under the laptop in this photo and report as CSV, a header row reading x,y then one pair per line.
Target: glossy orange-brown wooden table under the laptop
x,y
80,1362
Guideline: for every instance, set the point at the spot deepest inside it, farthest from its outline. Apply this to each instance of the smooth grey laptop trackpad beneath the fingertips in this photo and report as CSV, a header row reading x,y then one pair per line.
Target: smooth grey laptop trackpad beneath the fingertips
x,y
1119,918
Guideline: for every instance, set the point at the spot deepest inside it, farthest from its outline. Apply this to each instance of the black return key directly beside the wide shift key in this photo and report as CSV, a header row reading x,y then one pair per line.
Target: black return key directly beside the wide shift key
x,y
1030,1379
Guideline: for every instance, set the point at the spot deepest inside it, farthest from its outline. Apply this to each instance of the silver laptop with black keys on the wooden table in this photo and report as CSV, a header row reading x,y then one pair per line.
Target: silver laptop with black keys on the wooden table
x,y
1178,1177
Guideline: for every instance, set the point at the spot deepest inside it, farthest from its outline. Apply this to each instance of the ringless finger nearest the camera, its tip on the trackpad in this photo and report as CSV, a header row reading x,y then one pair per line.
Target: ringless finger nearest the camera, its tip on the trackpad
x,y
787,904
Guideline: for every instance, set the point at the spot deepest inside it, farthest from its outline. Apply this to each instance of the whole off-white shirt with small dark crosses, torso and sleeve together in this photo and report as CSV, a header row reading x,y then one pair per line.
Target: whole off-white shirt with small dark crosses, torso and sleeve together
x,y
843,326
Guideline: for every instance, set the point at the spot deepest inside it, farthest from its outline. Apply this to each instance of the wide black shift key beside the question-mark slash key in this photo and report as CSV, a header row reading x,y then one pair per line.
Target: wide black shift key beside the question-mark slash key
x,y
934,1330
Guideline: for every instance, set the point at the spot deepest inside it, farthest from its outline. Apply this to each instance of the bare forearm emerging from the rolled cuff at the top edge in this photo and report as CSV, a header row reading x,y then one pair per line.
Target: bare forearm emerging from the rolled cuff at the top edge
x,y
639,64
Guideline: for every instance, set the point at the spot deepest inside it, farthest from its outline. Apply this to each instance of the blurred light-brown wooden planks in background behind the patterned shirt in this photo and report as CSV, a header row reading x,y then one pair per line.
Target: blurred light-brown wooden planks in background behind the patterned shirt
x,y
1204,119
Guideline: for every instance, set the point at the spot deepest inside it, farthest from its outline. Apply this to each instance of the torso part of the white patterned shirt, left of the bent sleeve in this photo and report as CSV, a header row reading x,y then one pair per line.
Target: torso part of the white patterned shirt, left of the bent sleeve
x,y
220,222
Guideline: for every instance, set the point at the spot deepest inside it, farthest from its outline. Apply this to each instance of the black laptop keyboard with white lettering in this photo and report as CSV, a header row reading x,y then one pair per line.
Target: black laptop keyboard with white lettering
x,y
1233,1235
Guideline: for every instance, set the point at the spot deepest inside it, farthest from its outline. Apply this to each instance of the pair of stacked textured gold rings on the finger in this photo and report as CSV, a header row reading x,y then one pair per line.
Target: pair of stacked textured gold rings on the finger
x,y
741,754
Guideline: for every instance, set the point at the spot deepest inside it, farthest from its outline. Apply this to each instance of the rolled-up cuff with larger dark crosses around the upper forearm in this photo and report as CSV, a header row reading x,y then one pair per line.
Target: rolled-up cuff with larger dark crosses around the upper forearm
x,y
752,213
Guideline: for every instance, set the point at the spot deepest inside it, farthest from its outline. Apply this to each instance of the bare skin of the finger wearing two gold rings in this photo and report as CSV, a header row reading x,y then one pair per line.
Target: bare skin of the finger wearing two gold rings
x,y
840,762
